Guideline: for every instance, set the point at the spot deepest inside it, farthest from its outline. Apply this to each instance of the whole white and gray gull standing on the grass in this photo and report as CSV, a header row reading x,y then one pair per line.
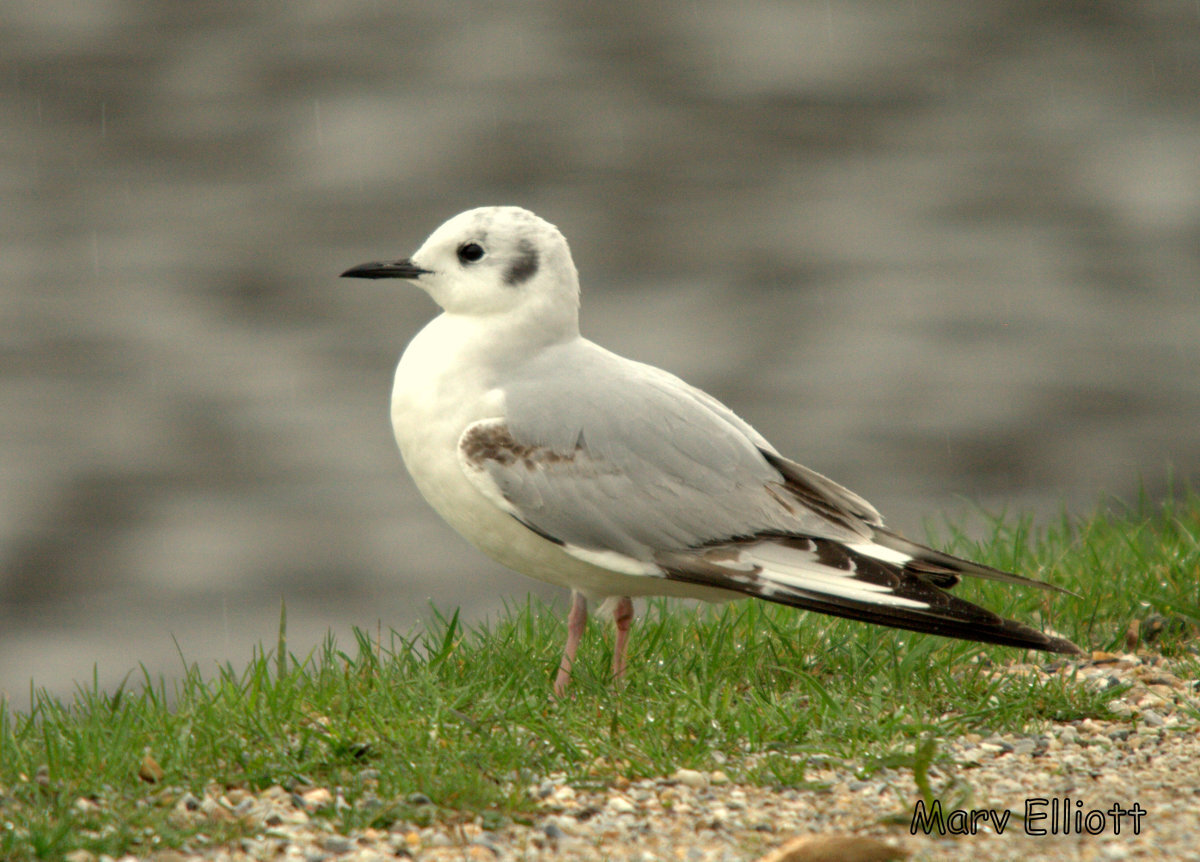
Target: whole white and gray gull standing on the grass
x,y
614,478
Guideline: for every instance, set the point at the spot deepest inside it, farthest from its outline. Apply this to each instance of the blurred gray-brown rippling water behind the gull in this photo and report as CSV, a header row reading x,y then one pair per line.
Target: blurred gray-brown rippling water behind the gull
x,y
946,252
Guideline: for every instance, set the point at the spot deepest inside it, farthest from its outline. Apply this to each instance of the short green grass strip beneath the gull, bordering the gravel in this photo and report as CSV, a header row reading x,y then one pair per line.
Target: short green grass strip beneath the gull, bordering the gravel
x,y
463,716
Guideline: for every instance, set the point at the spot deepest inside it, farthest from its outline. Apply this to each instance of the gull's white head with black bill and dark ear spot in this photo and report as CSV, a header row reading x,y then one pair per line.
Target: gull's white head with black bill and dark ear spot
x,y
493,261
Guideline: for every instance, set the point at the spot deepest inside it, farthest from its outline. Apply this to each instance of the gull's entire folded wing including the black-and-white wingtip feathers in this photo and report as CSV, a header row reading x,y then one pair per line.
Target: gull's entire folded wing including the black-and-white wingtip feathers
x,y
628,468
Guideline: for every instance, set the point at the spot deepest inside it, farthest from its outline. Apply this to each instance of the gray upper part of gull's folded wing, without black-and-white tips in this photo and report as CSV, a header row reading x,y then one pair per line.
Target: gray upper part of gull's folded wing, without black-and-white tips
x,y
607,454
